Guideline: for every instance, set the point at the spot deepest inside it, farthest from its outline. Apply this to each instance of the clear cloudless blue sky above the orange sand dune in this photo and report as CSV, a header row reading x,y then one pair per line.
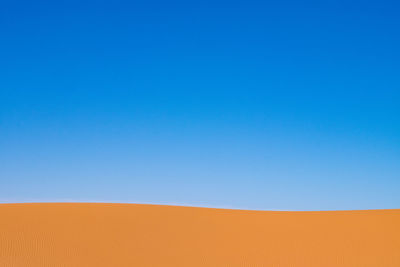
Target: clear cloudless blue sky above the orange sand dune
x,y
289,105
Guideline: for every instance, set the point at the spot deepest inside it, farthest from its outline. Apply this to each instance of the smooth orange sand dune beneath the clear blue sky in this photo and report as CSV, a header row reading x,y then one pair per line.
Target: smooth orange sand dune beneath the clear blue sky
x,y
115,235
